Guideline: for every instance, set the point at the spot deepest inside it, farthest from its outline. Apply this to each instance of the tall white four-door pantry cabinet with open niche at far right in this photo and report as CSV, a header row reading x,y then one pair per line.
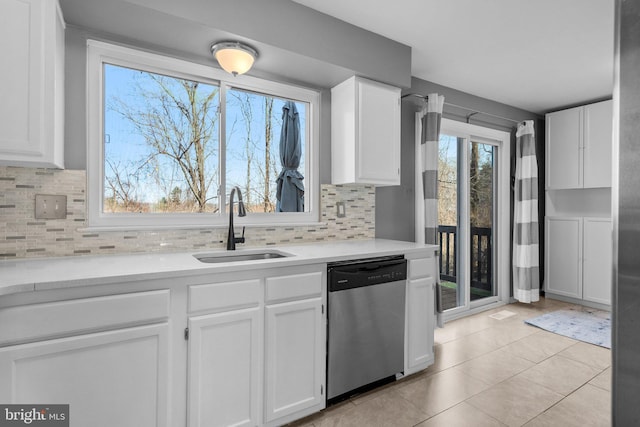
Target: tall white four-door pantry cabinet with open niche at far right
x,y
578,232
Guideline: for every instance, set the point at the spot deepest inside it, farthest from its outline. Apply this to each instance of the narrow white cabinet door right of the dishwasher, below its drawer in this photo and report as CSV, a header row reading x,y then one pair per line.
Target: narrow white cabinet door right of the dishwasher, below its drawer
x,y
420,317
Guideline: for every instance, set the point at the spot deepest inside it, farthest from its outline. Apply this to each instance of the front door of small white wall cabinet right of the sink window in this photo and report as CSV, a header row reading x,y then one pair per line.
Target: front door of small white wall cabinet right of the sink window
x,y
378,151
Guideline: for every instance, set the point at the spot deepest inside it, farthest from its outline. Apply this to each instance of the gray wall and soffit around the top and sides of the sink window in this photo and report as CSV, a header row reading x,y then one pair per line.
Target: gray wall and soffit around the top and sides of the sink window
x,y
297,45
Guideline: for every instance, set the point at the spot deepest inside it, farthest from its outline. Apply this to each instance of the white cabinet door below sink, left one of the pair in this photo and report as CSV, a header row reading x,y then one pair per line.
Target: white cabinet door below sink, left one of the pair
x,y
224,369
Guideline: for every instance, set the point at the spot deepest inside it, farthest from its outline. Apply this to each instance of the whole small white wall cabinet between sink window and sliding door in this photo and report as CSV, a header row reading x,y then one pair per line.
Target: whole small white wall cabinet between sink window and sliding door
x,y
365,133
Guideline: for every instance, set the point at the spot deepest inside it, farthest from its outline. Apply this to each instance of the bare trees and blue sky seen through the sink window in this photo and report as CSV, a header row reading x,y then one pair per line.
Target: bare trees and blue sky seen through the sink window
x,y
162,144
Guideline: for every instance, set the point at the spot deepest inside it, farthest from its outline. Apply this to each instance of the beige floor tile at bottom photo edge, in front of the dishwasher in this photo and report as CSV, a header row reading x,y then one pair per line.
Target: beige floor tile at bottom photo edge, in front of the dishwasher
x,y
384,410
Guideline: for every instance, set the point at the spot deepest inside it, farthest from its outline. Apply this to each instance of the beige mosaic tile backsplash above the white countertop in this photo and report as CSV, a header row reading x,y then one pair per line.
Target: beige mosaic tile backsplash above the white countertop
x,y
23,236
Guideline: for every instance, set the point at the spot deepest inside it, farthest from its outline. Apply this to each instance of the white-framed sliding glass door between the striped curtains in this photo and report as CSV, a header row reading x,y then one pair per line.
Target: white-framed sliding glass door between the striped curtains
x,y
470,211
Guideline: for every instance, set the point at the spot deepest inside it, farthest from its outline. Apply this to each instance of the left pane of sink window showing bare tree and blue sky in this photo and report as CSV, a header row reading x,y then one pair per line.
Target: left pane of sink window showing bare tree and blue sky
x,y
162,150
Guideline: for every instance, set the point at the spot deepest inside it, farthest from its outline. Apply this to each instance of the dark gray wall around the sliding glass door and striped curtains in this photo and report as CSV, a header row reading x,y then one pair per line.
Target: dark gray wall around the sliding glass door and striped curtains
x,y
395,207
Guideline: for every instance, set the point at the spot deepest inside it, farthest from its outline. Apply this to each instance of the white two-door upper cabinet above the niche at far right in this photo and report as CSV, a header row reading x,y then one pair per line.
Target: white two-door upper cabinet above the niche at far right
x,y
578,147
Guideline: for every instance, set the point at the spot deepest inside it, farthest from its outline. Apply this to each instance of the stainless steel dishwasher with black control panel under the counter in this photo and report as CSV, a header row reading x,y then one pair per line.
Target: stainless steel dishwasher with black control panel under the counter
x,y
366,316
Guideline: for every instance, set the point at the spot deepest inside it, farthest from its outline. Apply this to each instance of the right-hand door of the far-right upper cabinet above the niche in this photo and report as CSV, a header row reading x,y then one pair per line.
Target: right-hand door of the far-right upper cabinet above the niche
x,y
598,144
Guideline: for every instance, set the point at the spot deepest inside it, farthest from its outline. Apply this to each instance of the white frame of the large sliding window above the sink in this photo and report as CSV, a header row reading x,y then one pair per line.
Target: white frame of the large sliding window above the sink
x,y
99,53
